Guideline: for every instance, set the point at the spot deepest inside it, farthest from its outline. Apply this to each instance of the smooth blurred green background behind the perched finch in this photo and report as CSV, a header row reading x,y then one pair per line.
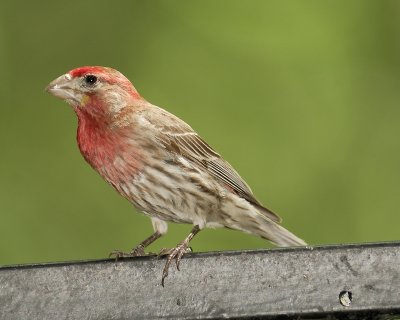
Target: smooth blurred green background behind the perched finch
x,y
301,97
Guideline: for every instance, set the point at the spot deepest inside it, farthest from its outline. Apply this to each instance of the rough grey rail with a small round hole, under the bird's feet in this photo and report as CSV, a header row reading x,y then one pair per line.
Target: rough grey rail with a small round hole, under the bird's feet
x,y
279,283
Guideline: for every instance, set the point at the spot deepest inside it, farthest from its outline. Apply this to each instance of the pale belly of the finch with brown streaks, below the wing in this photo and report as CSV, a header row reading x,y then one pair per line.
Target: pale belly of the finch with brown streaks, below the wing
x,y
173,193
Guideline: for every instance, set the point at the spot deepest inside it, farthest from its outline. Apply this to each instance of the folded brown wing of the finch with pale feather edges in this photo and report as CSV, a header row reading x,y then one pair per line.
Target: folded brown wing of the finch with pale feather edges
x,y
180,138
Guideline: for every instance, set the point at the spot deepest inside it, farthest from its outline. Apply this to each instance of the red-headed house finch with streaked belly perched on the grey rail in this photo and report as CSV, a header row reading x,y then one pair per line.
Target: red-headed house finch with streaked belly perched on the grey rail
x,y
159,163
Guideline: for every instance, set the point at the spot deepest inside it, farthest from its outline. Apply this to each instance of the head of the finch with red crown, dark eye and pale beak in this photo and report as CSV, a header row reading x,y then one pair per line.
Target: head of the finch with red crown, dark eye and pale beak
x,y
94,90
